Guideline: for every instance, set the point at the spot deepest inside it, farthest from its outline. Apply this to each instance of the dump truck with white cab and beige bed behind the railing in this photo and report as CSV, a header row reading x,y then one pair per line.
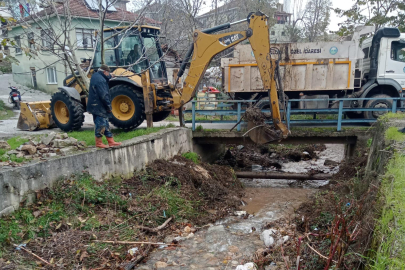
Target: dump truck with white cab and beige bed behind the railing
x,y
323,70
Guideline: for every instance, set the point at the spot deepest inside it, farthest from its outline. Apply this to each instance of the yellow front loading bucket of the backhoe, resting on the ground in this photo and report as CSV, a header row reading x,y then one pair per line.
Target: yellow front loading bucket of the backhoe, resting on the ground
x,y
35,115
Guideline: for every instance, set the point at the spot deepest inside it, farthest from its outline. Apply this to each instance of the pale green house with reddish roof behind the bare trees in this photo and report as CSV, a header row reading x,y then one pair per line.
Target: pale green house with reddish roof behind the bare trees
x,y
39,66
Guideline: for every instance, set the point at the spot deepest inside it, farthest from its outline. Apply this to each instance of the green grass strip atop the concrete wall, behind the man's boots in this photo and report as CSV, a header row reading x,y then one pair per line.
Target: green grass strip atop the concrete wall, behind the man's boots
x,y
119,135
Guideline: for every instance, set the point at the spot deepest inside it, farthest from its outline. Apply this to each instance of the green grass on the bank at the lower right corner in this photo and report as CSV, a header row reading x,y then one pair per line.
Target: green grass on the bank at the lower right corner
x,y
391,225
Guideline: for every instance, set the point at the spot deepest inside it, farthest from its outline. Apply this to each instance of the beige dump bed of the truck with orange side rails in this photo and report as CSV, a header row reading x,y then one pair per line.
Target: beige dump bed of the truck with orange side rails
x,y
304,67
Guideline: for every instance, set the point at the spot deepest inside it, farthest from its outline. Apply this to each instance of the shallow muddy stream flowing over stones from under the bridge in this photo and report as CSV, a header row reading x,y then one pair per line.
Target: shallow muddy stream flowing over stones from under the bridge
x,y
233,240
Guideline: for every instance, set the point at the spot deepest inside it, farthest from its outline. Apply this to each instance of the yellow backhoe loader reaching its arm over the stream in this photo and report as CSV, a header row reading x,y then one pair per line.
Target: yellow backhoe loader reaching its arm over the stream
x,y
135,95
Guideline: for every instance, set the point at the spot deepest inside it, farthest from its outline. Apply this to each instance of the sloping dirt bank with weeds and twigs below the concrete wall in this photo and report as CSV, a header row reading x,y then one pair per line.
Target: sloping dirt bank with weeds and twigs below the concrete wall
x,y
75,224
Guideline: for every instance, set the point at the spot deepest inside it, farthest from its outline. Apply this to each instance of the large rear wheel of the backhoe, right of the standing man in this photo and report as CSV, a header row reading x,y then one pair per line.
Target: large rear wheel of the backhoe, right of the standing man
x,y
127,107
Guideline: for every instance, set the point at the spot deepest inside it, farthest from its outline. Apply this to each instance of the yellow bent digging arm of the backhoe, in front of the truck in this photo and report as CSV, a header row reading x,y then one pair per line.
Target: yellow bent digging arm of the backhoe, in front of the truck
x,y
207,45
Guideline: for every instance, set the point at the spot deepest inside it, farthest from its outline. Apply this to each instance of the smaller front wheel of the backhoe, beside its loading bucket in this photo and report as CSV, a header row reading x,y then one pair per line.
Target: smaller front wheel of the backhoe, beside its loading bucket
x,y
67,113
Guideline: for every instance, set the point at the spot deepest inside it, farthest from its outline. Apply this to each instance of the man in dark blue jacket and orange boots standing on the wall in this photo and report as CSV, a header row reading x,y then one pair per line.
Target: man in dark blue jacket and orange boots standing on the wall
x,y
99,105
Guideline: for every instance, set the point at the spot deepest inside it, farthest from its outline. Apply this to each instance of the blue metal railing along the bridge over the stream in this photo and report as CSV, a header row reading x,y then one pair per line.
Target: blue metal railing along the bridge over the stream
x,y
340,111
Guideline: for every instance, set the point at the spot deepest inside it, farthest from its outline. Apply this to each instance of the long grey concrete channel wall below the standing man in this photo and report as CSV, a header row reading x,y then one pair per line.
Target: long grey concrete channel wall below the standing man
x,y
20,183
